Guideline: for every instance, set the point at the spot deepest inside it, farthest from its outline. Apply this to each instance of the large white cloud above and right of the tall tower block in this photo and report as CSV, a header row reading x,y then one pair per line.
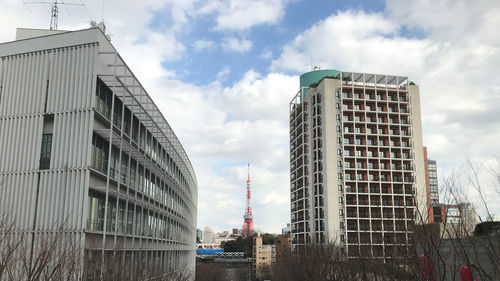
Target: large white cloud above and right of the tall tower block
x,y
453,59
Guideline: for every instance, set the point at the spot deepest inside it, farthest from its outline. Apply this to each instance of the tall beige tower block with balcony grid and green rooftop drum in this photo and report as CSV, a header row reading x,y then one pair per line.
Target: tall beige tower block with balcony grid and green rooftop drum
x,y
356,161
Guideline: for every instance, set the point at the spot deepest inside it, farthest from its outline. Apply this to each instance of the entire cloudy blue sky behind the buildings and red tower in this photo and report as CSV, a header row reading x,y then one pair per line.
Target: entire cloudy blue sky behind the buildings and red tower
x,y
224,71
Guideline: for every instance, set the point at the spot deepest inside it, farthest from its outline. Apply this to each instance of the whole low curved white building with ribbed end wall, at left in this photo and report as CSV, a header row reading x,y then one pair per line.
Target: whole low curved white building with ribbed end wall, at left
x,y
87,153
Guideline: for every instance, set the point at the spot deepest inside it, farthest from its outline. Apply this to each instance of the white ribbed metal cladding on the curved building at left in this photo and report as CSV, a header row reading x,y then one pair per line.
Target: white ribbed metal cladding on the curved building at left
x,y
61,81
